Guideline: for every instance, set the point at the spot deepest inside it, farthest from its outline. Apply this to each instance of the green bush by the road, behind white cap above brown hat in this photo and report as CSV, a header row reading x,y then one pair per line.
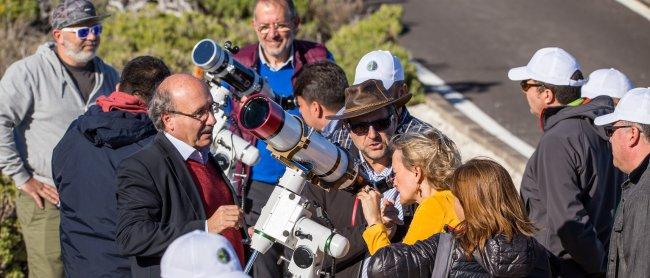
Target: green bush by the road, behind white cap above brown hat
x,y
377,31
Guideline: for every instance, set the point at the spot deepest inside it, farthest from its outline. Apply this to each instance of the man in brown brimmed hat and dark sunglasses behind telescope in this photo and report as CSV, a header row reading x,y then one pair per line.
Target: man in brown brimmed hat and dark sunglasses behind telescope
x,y
371,116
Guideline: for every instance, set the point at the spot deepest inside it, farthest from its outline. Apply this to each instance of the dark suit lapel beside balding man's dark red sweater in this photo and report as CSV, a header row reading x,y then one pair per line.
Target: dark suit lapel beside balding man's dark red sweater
x,y
179,169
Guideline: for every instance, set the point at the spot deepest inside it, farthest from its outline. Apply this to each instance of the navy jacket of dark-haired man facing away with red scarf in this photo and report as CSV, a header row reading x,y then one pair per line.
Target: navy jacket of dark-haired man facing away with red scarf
x,y
83,168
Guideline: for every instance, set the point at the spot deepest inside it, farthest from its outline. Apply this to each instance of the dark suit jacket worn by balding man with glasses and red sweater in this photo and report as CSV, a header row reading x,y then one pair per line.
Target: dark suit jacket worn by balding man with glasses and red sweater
x,y
157,201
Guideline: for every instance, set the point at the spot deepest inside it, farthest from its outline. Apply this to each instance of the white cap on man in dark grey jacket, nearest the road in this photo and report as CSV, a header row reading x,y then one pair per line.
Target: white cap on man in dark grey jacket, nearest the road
x,y
552,65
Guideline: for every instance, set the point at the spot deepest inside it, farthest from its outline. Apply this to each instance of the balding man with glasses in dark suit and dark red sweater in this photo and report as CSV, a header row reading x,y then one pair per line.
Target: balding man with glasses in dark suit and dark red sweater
x,y
174,186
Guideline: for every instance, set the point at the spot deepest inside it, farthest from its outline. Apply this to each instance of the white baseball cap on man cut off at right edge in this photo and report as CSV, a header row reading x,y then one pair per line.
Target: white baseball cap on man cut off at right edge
x,y
633,107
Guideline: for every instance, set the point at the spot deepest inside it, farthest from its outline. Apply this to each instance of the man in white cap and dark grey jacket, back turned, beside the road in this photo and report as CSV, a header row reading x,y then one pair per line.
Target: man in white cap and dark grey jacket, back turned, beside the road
x,y
569,185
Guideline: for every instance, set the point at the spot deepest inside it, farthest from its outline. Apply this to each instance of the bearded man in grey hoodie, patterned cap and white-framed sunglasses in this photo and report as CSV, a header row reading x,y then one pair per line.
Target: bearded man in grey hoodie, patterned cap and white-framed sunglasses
x,y
40,96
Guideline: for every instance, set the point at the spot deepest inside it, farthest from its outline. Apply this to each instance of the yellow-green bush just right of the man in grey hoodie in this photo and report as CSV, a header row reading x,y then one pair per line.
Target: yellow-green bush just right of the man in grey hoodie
x,y
170,37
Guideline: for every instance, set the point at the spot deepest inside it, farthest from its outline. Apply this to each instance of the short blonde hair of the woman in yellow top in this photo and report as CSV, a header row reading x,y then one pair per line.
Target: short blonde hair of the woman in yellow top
x,y
430,150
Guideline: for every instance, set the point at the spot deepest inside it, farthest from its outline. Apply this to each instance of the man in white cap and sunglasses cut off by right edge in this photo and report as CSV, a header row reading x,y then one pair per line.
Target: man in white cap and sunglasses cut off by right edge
x,y
628,128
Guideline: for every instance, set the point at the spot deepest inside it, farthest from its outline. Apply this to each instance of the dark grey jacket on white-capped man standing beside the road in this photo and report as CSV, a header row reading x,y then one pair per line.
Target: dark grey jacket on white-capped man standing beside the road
x,y
570,188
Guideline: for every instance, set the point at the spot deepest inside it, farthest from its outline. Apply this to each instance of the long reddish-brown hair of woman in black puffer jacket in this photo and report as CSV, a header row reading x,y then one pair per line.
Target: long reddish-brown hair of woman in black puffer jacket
x,y
490,203
